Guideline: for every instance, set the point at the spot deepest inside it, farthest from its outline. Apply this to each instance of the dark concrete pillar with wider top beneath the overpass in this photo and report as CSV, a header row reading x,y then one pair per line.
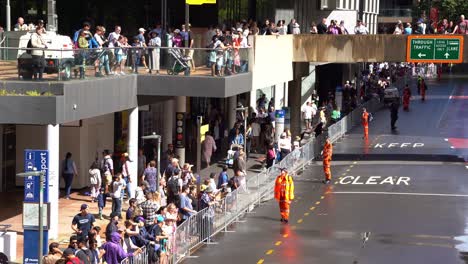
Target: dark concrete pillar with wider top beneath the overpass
x,y
294,96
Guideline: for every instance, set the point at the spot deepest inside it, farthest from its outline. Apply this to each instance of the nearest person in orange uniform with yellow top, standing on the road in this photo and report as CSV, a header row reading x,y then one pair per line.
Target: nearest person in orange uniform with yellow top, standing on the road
x,y
284,193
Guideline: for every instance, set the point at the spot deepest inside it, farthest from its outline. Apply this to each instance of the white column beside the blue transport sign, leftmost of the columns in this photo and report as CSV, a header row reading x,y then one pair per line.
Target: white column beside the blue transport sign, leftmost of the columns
x,y
53,133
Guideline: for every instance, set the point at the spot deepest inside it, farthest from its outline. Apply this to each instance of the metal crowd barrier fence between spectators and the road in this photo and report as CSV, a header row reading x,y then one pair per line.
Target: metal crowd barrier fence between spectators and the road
x,y
200,227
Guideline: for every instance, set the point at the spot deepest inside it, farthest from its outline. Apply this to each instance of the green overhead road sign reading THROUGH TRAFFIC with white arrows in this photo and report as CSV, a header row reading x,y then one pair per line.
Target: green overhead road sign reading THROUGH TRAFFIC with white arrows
x,y
439,49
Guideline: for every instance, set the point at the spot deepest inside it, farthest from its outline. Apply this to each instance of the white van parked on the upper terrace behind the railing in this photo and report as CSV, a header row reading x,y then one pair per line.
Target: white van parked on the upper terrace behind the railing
x,y
59,55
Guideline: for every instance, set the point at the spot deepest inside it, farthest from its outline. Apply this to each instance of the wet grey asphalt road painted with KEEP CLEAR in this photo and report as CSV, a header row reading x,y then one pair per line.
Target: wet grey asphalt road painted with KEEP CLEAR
x,y
396,209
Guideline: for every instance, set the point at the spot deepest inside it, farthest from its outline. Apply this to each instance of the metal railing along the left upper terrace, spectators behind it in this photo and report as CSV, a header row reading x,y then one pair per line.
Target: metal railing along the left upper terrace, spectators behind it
x,y
73,63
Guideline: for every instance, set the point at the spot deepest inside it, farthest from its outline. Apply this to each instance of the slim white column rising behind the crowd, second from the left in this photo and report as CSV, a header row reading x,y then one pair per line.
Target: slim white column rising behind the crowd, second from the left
x,y
133,149
